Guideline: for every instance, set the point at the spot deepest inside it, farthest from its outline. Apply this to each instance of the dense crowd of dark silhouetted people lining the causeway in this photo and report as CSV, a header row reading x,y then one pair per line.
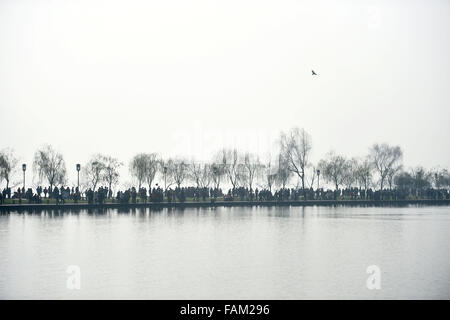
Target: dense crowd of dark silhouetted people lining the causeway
x,y
181,194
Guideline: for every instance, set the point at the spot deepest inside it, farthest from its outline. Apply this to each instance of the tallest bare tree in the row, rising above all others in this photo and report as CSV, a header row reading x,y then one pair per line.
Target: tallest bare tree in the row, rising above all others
x,y
296,147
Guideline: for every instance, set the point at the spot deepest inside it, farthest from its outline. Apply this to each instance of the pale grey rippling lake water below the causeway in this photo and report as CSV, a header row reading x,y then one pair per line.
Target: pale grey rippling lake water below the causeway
x,y
227,253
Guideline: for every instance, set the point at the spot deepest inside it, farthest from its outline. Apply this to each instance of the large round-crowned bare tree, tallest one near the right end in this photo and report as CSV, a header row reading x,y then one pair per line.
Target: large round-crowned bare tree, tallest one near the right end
x,y
384,159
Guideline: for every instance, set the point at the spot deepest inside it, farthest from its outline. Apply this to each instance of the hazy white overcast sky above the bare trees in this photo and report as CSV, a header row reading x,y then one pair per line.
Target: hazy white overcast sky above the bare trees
x,y
190,77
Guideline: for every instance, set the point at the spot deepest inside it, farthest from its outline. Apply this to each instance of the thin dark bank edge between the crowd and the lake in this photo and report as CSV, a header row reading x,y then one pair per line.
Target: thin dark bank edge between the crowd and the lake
x,y
160,205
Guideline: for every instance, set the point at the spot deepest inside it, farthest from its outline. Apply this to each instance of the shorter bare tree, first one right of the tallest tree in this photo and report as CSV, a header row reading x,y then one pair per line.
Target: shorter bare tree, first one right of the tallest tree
x,y
334,168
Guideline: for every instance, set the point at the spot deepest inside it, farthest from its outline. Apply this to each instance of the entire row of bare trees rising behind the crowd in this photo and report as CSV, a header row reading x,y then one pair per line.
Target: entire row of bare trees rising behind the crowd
x,y
381,167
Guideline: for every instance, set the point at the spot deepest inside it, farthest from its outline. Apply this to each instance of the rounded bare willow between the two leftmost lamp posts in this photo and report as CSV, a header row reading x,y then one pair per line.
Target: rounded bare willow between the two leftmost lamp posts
x,y
49,164
